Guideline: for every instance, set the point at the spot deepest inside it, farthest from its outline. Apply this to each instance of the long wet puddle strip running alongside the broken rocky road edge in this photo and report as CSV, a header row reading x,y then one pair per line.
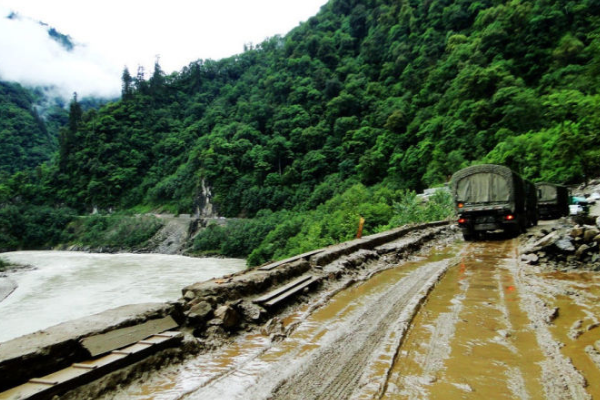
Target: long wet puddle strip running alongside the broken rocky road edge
x,y
251,367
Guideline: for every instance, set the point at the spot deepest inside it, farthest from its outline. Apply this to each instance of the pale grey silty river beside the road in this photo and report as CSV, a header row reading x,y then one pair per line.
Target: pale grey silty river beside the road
x,y
66,285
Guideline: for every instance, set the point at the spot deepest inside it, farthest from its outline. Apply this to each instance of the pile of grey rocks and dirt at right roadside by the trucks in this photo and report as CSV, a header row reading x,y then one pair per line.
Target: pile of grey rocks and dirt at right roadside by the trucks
x,y
564,244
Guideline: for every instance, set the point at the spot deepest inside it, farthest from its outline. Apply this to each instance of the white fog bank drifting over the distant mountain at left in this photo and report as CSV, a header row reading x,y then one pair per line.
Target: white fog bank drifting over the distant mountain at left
x,y
32,57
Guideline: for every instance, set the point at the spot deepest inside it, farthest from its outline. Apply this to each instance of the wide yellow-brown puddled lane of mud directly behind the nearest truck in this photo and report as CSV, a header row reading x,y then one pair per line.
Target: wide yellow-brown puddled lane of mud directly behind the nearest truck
x,y
471,340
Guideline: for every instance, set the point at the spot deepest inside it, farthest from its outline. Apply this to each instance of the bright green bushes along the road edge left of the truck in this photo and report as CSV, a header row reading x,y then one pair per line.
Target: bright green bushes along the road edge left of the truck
x,y
279,235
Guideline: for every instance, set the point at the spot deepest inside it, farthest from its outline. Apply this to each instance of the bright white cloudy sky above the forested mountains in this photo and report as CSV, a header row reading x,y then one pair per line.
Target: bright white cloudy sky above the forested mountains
x,y
113,34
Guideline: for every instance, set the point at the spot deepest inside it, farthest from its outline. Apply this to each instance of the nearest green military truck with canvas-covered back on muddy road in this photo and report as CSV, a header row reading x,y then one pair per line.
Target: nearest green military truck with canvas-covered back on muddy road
x,y
490,197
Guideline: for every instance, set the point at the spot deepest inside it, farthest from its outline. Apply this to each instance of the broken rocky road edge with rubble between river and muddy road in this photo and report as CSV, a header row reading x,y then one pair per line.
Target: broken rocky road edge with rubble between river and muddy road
x,y
210,313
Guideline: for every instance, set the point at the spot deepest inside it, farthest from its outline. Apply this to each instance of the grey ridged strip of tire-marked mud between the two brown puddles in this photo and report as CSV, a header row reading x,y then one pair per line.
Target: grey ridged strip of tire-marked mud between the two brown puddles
x,y
336,371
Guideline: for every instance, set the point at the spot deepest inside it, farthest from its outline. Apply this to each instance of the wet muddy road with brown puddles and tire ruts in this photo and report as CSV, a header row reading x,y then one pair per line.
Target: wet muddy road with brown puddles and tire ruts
x,y
460,321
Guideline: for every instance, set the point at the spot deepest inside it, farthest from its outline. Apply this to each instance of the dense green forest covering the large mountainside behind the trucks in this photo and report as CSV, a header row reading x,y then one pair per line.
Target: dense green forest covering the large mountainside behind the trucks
x,y
373,97
